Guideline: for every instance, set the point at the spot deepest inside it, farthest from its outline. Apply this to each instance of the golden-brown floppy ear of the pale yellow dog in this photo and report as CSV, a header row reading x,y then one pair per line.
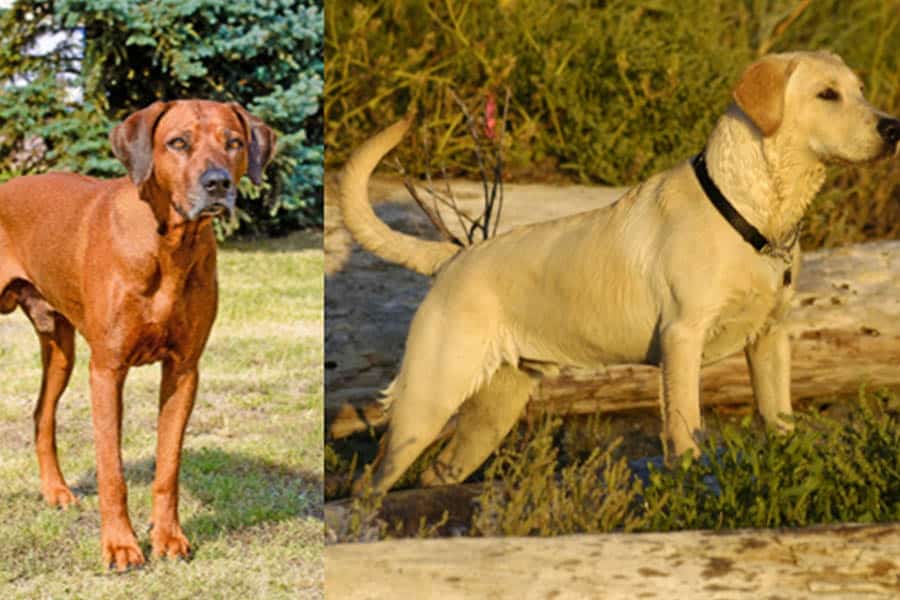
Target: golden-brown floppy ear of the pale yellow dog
x,y
760,92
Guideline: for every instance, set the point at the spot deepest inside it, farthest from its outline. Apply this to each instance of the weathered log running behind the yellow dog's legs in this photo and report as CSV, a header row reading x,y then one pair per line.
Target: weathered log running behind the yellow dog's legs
x,y
844,329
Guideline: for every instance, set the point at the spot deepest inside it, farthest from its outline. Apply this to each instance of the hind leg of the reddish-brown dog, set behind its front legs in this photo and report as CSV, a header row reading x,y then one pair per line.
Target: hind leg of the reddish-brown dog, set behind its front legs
x,y
57,338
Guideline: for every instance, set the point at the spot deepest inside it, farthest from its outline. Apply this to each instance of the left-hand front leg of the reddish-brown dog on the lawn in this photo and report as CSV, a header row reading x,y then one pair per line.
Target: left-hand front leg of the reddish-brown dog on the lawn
x,y
116,534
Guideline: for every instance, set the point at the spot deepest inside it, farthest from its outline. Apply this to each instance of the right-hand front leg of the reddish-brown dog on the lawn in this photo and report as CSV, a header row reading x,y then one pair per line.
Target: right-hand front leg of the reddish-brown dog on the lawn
x,y
176,400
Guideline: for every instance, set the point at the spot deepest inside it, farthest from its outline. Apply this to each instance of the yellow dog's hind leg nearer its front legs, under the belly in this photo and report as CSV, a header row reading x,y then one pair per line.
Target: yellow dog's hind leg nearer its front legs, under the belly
x,y
484,420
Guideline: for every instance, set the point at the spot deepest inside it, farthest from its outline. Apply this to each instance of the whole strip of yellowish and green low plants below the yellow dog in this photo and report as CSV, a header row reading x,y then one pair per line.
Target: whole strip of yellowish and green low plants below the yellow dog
x,y
826,471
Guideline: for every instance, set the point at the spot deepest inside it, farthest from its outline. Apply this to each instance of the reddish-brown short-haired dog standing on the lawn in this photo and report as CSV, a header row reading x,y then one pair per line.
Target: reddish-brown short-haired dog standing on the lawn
x,y
130,264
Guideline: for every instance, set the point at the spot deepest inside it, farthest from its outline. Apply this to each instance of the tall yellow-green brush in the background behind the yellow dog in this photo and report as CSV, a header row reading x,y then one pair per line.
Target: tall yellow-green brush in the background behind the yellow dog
x,y
604,92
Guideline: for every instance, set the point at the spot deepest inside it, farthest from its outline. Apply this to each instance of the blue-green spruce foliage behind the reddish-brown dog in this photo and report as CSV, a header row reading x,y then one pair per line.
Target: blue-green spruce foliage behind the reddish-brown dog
x,y
265,54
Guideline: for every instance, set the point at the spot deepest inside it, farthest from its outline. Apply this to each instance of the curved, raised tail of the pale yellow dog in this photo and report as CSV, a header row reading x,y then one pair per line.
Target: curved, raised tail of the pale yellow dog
x,y
372,233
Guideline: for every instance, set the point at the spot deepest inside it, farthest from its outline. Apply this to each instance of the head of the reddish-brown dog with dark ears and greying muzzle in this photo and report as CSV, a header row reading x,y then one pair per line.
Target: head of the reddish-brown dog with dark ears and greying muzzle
x,y
194,152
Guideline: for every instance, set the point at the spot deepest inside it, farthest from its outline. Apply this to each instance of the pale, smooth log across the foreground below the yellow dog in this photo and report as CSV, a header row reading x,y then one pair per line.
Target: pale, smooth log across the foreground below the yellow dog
x,y
842,561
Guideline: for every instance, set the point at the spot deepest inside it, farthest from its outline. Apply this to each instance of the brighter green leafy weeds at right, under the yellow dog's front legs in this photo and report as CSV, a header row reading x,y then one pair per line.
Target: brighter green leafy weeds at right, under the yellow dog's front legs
x,y
827,471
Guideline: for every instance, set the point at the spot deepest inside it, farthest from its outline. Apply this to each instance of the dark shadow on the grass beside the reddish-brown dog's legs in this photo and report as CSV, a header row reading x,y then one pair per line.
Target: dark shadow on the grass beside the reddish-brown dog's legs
x,y
233,491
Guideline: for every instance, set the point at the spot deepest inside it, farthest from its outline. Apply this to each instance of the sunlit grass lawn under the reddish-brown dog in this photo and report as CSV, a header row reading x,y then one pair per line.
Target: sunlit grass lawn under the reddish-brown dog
x,y
251,478
